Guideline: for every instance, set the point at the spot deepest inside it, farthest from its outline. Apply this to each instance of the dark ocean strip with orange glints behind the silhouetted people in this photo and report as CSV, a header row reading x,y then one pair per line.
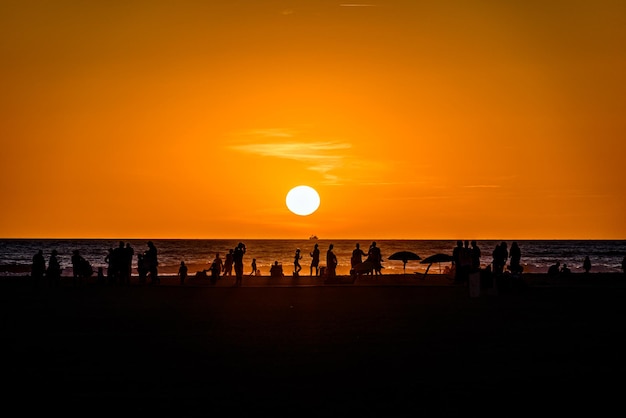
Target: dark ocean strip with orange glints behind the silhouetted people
x,y
537,255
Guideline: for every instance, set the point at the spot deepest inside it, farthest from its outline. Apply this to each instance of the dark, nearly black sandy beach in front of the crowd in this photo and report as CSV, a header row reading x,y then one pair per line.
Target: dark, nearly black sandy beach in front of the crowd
x,y
392,347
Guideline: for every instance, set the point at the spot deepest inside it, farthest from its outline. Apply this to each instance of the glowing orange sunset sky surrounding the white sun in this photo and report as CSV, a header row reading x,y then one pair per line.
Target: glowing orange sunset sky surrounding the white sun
x,y
412,119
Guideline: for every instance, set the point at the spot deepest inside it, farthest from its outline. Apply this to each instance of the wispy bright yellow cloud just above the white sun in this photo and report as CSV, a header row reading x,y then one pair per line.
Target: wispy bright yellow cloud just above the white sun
x,y
320,156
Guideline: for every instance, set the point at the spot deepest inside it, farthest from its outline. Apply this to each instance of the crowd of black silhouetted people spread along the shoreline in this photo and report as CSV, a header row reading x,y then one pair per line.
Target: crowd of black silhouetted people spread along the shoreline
x,y
506,265
